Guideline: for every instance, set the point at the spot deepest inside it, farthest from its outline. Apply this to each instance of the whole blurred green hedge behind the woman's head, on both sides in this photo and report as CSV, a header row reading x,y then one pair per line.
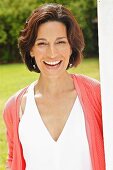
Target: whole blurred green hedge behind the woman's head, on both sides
x,y
13,14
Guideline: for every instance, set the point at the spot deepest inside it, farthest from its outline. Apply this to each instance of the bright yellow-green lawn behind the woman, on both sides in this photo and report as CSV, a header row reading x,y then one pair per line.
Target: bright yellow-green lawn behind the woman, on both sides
x,y
16,76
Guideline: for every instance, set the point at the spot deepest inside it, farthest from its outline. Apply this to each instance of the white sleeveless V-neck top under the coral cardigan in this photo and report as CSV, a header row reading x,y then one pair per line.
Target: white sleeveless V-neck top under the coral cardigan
x,y
41,152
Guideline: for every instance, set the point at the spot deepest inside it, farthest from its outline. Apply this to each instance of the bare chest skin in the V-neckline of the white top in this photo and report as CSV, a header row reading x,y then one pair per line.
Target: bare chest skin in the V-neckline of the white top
x,y
55,113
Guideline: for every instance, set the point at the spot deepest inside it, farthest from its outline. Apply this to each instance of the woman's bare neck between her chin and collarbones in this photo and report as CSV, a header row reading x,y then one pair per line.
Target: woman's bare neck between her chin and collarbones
x,y
55,85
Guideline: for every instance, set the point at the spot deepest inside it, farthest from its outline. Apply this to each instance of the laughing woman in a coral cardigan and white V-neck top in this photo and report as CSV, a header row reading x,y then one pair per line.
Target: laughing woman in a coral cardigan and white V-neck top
x,y
55,122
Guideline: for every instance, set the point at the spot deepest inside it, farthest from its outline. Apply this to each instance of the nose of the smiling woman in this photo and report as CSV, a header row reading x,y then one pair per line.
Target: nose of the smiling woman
x,y
52,51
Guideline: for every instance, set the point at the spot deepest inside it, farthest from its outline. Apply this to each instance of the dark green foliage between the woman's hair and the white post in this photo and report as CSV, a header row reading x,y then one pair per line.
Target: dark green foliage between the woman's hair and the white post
x,y
86,12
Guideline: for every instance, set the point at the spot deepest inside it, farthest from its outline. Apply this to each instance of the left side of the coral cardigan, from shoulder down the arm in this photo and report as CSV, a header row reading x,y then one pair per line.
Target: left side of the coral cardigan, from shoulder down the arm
x,y
10,118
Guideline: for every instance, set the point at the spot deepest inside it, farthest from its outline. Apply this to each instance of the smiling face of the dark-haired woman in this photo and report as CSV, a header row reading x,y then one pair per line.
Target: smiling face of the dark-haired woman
x,y
51,49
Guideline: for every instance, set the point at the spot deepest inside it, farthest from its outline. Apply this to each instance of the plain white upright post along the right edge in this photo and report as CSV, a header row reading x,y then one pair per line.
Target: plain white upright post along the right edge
x,y
105,33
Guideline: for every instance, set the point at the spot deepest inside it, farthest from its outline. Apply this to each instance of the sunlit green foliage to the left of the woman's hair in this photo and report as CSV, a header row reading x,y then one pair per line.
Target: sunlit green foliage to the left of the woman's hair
x,y
13,14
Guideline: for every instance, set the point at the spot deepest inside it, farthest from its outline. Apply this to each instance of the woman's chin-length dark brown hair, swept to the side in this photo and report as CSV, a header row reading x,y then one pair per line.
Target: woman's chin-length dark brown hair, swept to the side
x,y
51,12
